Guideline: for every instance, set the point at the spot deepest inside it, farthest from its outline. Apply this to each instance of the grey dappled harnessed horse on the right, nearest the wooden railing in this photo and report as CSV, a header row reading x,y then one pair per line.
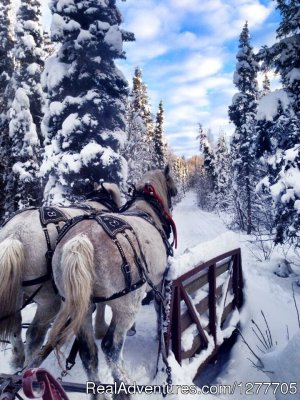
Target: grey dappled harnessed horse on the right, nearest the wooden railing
x,y
88,264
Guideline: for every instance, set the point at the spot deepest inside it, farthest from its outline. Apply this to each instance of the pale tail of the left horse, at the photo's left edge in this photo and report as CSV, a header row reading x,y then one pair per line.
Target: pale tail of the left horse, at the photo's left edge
x,y
12,261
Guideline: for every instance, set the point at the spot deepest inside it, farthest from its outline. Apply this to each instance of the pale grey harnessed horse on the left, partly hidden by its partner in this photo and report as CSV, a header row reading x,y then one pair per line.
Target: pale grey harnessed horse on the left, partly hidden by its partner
x,y
22,258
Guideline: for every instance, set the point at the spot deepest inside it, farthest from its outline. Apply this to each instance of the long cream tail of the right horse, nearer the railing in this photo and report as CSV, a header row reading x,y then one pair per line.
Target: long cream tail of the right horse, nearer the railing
x,y
78,277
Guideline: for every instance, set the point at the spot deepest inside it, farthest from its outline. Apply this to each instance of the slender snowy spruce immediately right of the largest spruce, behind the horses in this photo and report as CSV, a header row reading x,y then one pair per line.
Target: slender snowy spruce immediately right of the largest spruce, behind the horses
x,y
138,149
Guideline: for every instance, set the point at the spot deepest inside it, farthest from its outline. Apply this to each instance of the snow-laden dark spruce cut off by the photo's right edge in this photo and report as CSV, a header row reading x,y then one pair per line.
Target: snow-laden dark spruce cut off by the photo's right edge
x,y
280,123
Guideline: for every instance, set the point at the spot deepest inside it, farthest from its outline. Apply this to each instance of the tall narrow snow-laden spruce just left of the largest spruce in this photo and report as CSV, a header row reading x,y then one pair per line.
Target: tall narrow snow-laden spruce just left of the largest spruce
x,y
22,186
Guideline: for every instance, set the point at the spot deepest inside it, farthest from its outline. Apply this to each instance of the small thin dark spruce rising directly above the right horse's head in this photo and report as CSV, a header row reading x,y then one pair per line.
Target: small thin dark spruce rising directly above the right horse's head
x,y
159,140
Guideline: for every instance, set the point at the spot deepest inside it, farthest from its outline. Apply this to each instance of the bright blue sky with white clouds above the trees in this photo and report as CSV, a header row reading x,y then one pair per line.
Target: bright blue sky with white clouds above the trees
x,y
186,50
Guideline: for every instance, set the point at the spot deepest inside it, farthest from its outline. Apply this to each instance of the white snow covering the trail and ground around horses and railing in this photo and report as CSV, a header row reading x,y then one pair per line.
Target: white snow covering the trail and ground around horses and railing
x,y
201,236
